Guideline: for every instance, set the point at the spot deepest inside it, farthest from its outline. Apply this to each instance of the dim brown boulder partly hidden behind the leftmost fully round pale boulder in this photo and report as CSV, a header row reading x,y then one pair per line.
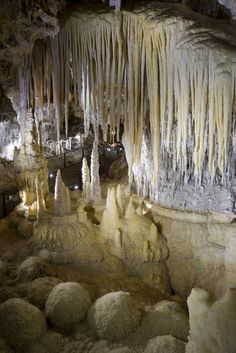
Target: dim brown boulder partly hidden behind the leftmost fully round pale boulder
x,y
39,290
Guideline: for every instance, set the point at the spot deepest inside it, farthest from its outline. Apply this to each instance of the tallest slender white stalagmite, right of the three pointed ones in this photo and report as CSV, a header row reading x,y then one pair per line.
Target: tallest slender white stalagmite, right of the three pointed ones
x,y
94,171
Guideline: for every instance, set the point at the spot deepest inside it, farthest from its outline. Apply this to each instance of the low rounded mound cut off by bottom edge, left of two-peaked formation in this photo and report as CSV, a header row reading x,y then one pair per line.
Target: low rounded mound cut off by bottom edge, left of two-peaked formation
x,y
165,344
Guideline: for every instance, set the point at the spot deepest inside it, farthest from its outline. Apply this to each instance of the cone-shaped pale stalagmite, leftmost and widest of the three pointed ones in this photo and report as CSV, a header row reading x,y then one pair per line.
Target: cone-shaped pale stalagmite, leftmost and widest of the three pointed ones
x,y
62,202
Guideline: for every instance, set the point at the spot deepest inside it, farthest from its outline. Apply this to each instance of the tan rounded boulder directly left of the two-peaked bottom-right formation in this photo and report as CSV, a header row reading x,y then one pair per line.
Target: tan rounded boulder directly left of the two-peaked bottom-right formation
x,y
164,318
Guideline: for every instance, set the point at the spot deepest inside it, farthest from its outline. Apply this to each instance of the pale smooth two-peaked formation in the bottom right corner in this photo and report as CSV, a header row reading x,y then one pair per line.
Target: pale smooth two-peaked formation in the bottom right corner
x,y
212,324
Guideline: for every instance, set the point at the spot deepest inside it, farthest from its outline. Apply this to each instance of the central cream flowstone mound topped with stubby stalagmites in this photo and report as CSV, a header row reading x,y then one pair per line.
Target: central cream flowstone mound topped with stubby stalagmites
x,y
135,239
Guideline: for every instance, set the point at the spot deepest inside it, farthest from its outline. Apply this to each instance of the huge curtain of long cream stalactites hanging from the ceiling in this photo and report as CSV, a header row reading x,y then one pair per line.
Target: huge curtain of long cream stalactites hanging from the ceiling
x,y
147,69
